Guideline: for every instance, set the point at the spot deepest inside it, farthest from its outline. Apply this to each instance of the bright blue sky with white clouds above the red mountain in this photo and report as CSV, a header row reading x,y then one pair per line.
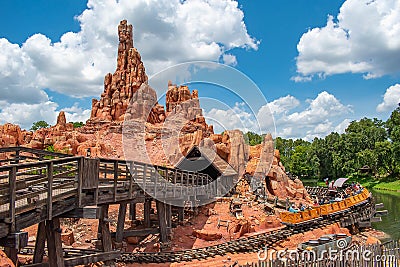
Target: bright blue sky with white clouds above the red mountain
x,y
313,65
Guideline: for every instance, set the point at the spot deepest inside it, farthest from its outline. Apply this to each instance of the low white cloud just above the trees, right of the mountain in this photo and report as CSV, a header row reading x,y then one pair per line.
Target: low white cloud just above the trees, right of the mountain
x,y
319,117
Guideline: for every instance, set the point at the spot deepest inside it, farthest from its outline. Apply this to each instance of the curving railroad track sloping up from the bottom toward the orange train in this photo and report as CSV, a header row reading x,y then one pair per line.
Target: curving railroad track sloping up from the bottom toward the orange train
x,y
241,245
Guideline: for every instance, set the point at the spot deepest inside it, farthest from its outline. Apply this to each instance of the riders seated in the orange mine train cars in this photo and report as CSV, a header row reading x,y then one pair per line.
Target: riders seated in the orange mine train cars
x,y
350,190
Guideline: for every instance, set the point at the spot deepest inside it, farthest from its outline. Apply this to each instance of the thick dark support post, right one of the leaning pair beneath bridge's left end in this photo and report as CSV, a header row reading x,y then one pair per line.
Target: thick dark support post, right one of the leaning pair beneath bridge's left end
x,y
54,245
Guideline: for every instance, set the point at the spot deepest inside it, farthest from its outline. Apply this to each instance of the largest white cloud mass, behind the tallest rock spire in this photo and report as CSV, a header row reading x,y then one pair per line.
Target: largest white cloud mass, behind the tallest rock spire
x,y
165,32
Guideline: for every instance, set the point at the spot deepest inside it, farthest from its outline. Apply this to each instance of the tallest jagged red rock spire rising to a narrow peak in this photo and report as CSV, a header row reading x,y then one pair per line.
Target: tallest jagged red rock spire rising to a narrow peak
x,y
122,87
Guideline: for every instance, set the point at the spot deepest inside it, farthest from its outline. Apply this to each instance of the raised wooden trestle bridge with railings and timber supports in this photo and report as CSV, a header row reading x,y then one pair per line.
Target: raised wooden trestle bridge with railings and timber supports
x,y
39,187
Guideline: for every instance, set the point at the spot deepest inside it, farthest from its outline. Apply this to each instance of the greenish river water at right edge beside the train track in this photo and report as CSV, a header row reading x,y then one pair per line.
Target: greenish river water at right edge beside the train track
x,y
390,223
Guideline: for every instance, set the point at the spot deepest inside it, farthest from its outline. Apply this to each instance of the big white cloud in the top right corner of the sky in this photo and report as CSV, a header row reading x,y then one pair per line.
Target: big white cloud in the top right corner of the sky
x,y
365,38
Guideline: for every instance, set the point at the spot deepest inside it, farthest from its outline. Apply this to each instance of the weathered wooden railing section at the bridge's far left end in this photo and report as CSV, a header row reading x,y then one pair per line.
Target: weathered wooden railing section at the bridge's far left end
x,y
31,186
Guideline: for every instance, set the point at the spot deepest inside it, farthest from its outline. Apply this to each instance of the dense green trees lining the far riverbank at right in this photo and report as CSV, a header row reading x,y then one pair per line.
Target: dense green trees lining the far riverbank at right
x,y
367,142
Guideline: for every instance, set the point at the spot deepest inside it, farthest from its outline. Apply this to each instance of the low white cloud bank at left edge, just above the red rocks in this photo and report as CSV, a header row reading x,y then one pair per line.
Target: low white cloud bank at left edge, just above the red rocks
x,y
25,114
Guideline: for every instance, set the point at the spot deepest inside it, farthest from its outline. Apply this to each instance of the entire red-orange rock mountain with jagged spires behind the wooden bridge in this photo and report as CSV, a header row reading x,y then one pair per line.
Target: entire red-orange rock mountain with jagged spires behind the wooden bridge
x,y
159,136
